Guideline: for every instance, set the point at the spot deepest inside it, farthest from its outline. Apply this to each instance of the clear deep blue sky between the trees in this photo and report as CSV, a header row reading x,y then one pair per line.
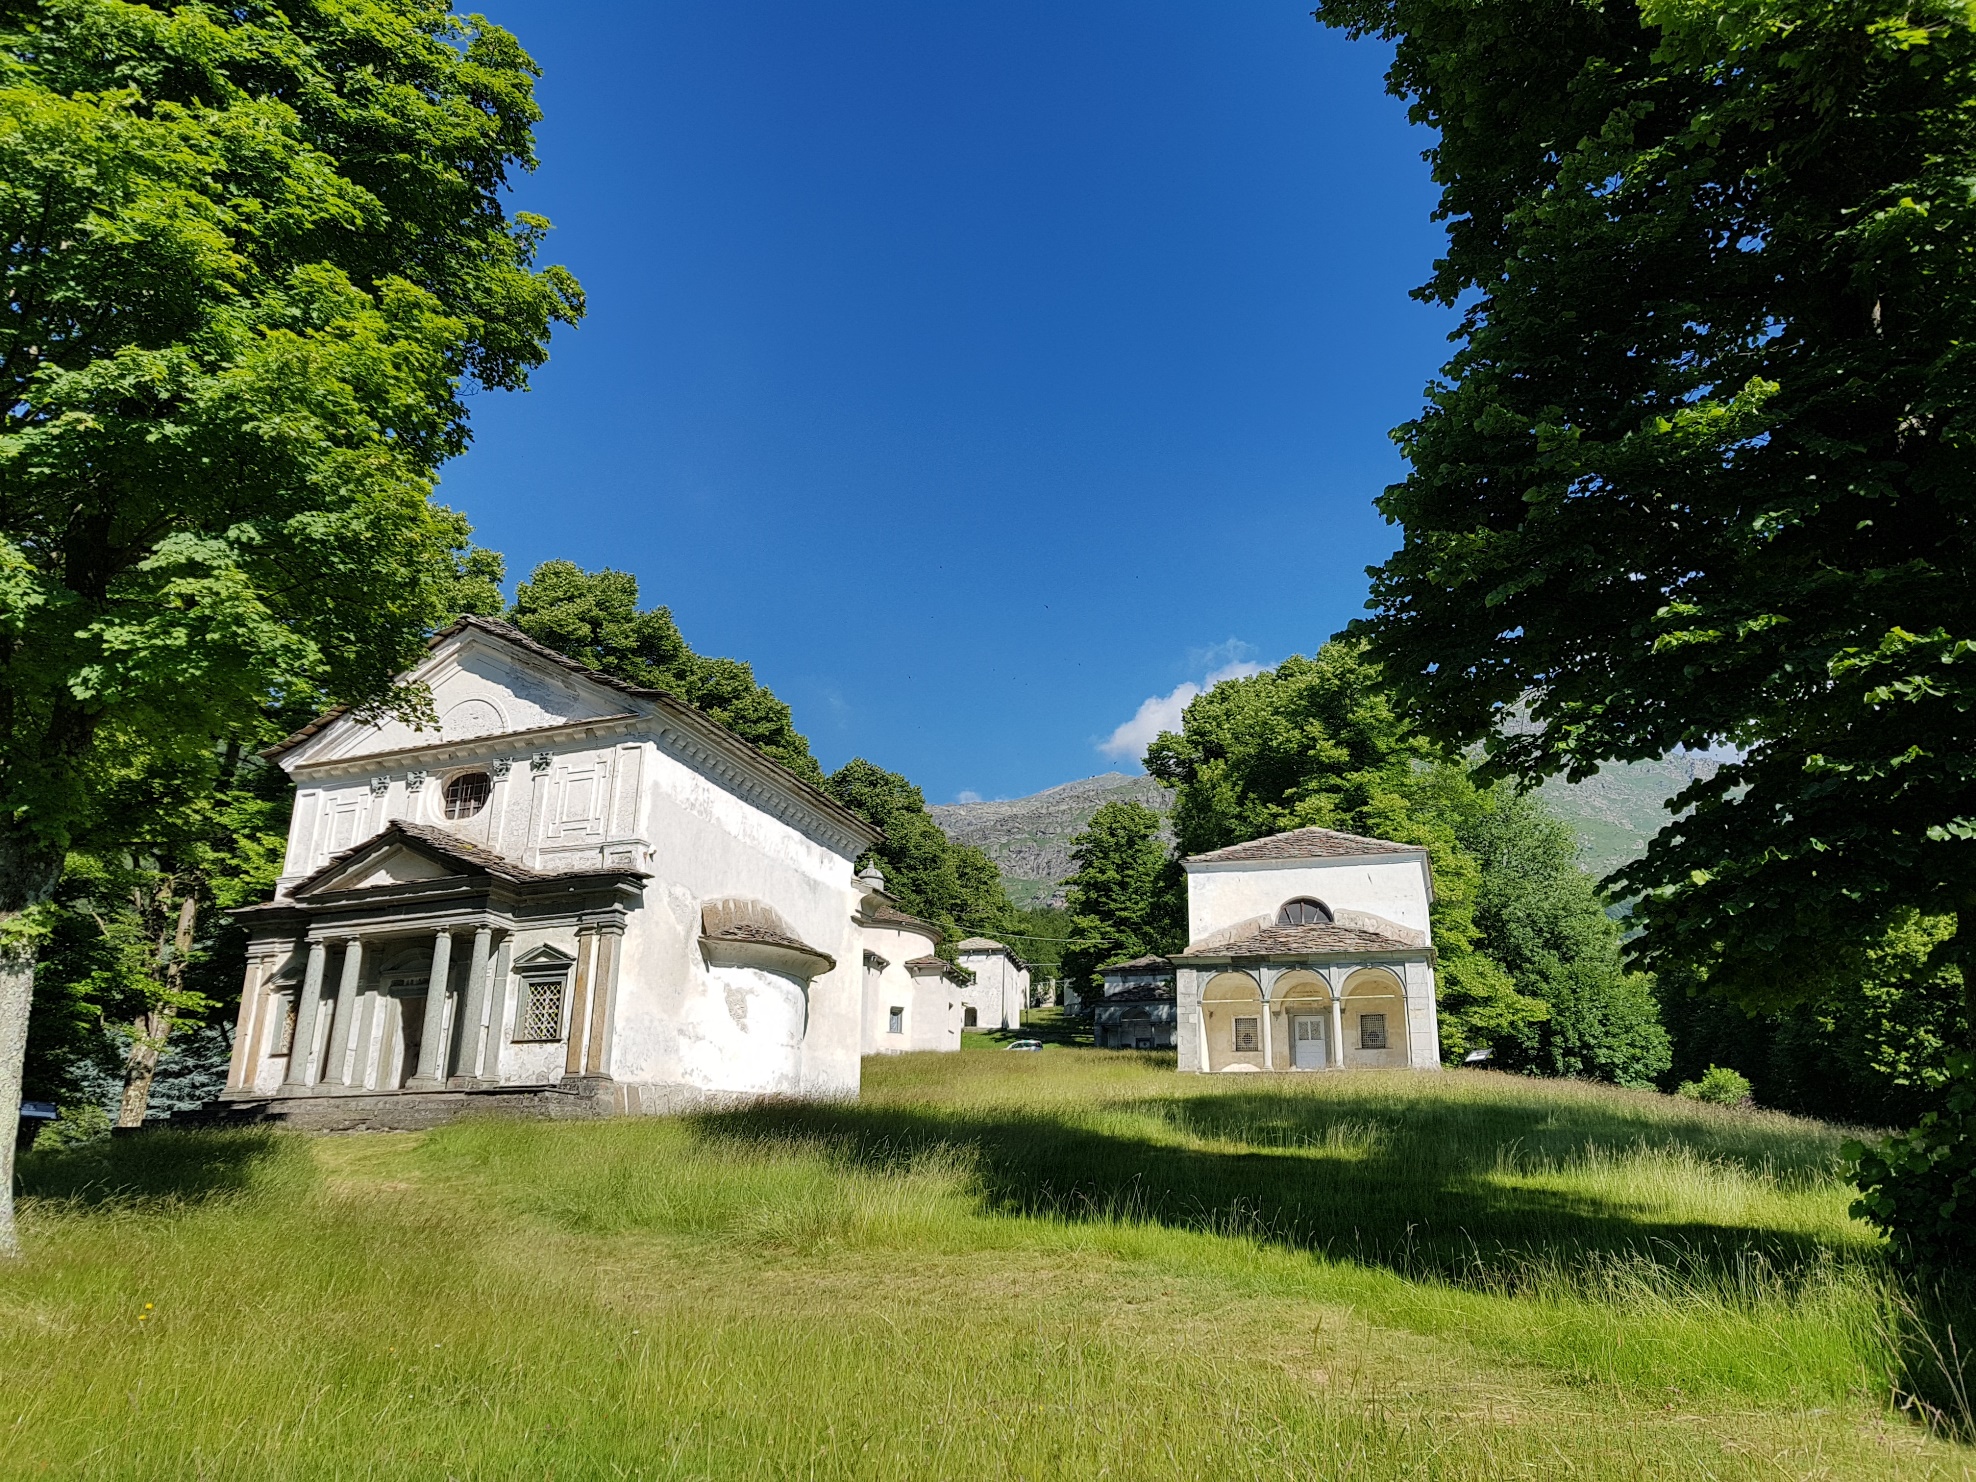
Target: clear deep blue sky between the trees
x,y
985,376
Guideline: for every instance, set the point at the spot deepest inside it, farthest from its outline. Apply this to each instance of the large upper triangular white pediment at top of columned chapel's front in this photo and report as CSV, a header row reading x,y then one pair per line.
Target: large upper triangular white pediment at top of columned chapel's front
x,y
481,685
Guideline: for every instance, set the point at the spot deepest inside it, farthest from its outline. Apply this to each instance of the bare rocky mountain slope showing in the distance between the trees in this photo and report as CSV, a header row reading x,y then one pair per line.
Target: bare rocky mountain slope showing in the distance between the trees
x,y
1030,839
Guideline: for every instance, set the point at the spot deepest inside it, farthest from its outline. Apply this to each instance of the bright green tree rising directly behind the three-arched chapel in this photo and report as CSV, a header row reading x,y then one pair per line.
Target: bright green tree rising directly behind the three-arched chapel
x,y
1319,744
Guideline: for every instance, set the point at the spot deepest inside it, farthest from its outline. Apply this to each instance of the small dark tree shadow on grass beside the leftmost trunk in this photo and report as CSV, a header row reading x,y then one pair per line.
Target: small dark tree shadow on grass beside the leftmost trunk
x,y
179,1169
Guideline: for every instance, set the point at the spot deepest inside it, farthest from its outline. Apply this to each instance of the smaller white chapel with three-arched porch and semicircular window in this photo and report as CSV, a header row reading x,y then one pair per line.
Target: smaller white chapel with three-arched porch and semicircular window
x,y
1307,951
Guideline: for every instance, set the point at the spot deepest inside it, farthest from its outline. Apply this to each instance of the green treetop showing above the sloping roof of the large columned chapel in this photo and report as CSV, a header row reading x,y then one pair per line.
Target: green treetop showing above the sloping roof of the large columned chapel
x,y
596,619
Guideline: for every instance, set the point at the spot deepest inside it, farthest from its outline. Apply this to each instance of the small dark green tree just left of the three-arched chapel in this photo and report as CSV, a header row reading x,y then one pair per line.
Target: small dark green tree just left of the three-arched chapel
x,y
1127,896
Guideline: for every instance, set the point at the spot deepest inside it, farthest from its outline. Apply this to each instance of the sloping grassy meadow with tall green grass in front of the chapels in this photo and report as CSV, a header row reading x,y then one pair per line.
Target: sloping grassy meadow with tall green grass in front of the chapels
x,y
1060,1266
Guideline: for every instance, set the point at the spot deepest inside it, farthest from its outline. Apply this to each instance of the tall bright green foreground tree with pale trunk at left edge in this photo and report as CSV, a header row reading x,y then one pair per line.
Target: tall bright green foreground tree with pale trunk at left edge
x,y
258,258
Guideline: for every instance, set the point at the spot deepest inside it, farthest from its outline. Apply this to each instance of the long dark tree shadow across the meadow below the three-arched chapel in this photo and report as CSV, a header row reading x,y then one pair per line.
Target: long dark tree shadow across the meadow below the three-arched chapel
x,y
1406,1185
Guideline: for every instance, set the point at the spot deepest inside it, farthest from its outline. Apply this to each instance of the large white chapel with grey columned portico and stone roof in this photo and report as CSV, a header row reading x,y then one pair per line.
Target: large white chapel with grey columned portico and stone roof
x,y
576,894
